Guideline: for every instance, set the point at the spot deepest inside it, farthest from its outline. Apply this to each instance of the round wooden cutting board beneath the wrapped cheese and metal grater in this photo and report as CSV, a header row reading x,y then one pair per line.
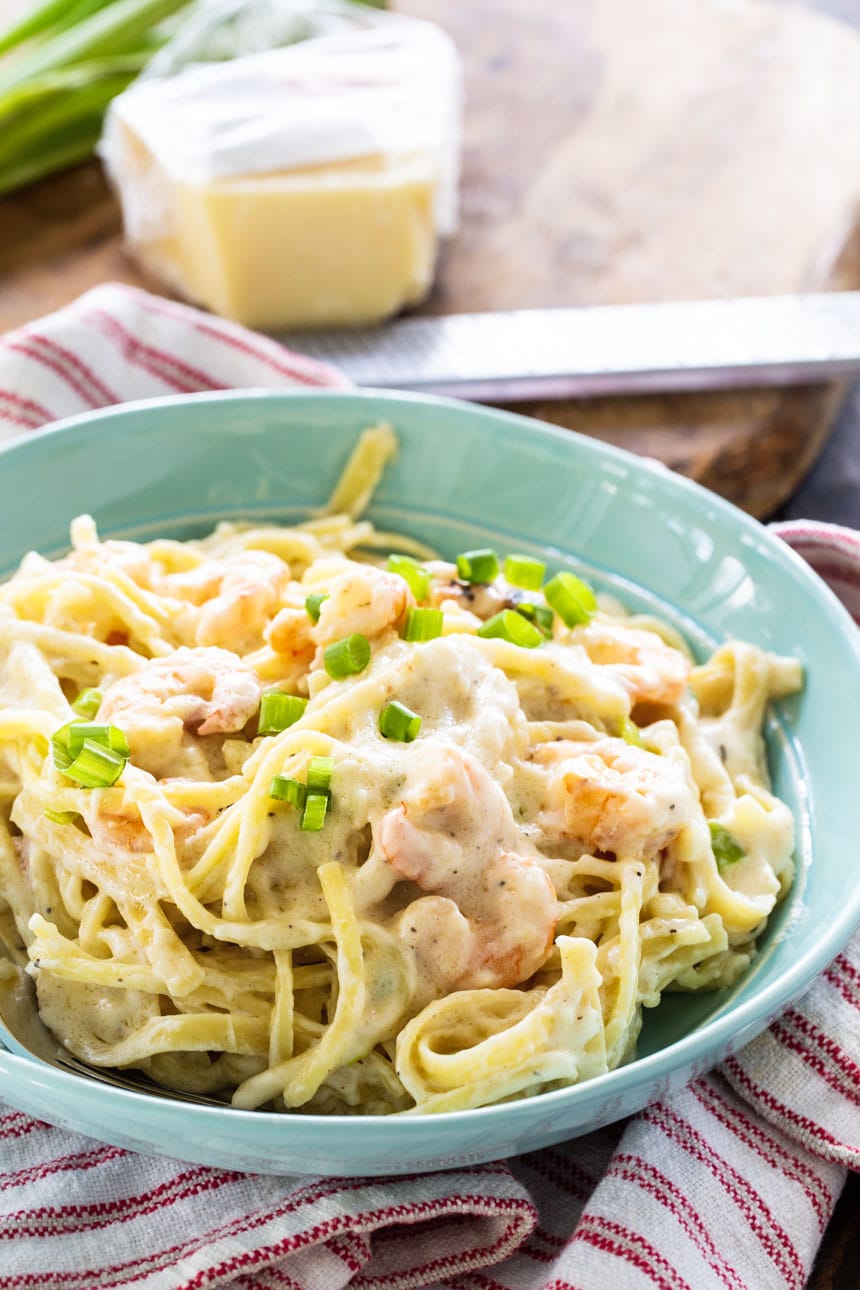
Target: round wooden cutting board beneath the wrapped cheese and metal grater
x,y
613,152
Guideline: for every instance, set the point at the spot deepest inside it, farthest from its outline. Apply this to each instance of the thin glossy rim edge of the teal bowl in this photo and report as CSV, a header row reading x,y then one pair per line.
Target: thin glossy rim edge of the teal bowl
x,y
721,1034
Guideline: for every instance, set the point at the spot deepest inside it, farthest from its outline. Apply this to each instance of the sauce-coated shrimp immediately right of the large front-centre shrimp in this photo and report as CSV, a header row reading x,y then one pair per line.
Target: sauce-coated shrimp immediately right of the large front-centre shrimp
x,y
612,797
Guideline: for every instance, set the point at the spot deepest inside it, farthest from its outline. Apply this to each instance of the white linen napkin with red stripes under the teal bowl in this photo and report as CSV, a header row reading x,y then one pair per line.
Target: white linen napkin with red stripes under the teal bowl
x,y
728,1185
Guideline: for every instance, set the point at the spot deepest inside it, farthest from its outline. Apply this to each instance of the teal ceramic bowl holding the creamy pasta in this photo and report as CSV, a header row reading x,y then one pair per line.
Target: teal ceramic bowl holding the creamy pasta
x,y
469,477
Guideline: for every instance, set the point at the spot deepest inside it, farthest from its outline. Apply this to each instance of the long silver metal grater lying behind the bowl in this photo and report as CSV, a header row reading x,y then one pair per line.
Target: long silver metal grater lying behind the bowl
x,y
603,350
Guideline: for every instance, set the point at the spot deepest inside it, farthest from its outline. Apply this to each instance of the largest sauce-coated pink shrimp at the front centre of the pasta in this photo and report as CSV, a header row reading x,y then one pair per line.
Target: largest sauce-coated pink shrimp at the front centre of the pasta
x,y
491,914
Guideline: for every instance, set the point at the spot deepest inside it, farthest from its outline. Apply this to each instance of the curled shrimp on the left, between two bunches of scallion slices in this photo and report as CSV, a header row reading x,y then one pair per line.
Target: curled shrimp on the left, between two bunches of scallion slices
x,y
199,691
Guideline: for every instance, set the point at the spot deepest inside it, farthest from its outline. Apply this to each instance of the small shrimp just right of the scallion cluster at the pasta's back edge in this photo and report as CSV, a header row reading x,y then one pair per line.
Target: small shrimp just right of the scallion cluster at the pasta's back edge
x,y
650,670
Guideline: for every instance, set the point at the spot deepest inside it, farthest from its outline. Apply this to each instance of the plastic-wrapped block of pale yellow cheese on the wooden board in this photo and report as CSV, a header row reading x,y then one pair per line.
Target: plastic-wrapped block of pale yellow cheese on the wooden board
x,y
297,186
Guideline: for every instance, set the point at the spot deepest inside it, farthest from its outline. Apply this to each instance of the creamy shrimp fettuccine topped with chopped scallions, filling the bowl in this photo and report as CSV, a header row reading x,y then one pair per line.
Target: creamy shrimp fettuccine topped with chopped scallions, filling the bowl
x,y
289,820
